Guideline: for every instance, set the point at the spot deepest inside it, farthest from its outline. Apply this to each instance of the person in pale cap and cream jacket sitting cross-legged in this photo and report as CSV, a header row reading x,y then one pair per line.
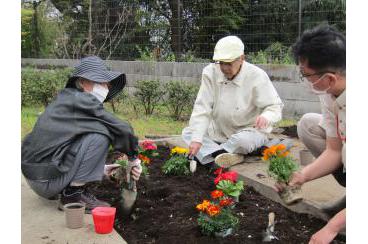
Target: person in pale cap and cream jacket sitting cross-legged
x,y
235,108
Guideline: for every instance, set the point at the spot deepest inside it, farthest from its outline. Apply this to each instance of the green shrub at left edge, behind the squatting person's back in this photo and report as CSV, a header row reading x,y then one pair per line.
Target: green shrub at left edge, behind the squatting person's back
x,y
39,87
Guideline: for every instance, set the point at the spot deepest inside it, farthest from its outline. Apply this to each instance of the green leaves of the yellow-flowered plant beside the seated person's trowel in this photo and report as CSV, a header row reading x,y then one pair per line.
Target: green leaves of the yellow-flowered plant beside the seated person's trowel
x,y
178,164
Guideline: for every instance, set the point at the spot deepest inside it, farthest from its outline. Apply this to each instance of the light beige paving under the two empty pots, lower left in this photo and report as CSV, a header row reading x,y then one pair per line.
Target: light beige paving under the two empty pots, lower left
x,y
42,223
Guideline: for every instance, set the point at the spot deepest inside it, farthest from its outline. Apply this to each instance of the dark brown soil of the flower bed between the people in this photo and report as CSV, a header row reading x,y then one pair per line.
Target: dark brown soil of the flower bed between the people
x,y
165,211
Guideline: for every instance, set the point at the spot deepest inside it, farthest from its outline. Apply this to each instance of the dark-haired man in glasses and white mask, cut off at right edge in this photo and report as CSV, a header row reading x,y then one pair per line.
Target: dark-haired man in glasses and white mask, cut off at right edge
x,y
320,54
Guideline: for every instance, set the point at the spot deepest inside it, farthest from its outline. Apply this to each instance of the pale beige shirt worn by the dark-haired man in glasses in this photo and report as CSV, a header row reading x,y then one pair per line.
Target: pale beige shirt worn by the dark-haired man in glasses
x,y
334,119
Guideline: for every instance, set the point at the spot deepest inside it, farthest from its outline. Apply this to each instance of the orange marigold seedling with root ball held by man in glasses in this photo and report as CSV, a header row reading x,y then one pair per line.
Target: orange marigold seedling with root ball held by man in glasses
x,y
281,167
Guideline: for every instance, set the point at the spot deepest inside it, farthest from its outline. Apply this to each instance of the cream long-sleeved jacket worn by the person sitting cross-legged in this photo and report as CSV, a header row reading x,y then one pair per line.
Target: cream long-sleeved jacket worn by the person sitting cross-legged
x,y
224,107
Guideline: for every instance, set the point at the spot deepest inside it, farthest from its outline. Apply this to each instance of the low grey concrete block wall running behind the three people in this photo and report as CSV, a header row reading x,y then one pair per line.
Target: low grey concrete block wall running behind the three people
x,y
296,97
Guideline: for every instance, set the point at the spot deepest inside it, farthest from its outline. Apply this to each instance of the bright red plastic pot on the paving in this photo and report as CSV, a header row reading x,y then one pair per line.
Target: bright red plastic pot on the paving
x,y
103,218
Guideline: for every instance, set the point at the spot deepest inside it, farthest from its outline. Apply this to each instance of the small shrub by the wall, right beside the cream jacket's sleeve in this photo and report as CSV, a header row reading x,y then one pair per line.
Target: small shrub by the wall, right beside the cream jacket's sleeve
x,y
180,97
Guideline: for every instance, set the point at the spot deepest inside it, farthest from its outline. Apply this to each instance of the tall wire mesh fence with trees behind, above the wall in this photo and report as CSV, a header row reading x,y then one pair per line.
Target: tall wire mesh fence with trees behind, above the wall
x,y
170,30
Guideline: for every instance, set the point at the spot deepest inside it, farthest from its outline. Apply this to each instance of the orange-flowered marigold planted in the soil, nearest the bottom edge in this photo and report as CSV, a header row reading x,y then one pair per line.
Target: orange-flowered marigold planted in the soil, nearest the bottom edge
x,y
215,216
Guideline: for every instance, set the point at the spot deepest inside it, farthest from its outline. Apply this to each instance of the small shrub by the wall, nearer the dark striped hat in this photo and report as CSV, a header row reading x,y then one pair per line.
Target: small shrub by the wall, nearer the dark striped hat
x,y
149,93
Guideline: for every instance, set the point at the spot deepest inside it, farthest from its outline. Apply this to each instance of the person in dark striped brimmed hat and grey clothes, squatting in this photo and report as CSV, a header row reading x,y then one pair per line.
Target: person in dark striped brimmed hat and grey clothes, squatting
x,y
68,146
